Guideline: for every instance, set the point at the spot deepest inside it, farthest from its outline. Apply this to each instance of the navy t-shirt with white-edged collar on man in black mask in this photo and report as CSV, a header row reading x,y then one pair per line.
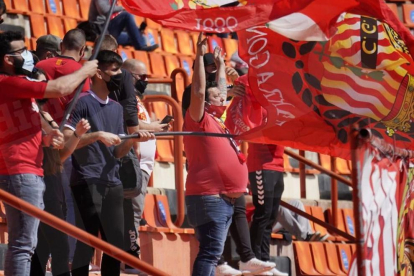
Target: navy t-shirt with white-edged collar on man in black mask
x,y
96,161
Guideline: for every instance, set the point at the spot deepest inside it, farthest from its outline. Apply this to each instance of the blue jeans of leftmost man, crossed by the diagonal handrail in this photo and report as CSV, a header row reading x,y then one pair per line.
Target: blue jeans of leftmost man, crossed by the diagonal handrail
x,y
21,227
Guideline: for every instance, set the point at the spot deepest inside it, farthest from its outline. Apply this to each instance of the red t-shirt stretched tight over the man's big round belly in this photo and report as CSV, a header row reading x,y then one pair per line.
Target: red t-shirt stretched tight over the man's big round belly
x,y
213,165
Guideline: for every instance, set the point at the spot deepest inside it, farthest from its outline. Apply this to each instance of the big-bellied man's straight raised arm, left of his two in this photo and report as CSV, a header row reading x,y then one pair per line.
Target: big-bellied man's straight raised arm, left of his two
x,y
198,87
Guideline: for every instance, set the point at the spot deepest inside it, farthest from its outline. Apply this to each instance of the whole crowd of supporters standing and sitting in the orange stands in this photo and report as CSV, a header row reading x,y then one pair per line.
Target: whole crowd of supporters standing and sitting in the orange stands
x,y
81,173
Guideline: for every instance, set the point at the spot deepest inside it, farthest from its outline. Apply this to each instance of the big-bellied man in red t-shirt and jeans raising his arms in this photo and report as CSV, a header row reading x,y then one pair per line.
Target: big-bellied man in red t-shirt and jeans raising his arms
x,y
217,173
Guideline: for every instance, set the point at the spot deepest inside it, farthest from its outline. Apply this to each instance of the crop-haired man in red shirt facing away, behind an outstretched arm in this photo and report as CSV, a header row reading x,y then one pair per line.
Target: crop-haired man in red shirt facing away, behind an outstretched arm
x,y
73,49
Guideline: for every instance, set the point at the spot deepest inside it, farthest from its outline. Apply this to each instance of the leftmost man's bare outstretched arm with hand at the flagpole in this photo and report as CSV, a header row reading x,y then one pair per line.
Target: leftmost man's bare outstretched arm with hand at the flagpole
x,y
67,84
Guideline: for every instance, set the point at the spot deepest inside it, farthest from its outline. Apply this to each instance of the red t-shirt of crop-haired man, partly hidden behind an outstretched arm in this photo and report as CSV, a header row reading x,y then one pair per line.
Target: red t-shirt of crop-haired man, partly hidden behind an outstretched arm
x,y
57,67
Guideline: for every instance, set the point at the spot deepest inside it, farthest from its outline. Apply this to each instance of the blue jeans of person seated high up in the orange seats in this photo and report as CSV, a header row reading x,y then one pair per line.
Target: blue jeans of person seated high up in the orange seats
x,y
132,36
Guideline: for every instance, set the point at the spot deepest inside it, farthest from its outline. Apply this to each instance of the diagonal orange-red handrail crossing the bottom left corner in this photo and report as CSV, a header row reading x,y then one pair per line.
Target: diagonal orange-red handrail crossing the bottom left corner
x,y
78,234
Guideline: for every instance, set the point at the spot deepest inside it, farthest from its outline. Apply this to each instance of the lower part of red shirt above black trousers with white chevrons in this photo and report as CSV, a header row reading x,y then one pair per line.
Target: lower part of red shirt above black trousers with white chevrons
x,y
265,157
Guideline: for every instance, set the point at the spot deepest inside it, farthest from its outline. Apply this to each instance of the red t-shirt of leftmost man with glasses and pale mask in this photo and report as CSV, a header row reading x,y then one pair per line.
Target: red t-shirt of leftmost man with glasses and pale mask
x,y
20,128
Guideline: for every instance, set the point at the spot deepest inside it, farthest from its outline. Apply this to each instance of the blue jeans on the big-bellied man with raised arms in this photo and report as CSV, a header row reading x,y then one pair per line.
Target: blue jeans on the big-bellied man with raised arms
x,y
211,218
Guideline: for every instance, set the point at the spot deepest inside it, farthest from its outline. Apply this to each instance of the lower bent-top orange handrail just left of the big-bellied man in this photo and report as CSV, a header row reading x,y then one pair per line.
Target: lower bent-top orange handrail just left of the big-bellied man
x,y
178,152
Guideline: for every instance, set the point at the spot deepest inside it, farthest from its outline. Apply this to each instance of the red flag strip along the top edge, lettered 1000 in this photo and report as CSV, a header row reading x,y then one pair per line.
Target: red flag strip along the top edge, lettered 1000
x,y
224,16
